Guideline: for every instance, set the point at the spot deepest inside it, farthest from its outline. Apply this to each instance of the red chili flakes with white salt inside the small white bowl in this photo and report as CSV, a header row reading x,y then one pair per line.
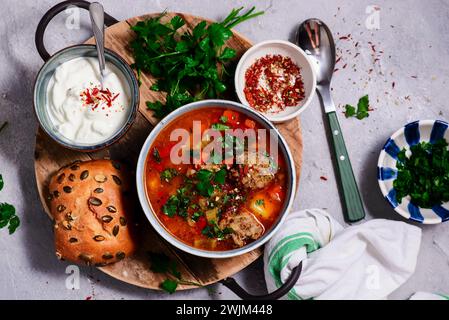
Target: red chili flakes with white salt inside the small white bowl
x,y
273,83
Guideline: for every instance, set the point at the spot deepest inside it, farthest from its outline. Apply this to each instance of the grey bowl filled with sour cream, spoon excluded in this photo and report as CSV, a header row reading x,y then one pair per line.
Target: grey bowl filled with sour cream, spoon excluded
x,y
74,109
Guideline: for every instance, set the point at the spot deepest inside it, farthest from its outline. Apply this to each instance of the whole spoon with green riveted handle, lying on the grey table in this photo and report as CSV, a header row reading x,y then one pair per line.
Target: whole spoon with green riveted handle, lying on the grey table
x,y
315,38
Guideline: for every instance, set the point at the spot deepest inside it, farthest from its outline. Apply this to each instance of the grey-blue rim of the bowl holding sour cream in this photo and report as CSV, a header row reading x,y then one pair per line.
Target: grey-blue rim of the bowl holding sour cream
x,y
134,85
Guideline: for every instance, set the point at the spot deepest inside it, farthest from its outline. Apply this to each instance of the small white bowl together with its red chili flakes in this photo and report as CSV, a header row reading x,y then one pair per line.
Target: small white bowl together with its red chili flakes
x,y
276,78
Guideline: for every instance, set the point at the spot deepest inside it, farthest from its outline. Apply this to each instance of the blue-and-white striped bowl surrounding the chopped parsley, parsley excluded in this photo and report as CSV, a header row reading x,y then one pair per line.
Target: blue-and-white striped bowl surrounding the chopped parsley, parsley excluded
x,y
411,134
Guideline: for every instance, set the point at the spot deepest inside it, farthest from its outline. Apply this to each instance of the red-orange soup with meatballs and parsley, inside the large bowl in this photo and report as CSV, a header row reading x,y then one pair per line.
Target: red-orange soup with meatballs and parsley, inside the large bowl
x,y
212,201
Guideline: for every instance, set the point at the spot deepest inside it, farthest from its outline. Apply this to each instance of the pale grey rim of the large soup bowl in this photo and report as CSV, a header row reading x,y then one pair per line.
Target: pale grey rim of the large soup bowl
x,y
151,216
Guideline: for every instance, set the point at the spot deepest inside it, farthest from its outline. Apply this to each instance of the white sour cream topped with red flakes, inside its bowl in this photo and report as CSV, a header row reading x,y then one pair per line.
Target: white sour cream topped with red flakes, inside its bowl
x,y
77,114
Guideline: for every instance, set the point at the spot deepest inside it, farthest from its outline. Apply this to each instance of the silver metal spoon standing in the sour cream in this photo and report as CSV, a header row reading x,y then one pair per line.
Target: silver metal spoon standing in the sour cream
x,y
96,12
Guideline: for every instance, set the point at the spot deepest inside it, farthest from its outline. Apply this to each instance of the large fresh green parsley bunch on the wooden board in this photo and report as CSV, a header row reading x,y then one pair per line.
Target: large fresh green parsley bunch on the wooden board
x,y
188,66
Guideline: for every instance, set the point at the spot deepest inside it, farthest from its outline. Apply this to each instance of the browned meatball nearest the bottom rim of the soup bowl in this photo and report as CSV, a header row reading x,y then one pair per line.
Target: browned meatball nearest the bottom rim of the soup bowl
x,y
244,227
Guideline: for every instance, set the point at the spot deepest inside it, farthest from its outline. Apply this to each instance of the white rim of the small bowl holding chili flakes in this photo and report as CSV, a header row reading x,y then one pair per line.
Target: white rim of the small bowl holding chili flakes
x,y
239,72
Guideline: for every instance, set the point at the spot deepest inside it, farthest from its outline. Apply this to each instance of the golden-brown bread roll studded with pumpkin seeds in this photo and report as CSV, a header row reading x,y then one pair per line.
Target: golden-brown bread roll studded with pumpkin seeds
x,y
92,210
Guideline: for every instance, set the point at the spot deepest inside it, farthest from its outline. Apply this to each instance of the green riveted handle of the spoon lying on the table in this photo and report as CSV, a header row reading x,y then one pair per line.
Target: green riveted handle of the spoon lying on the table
x,y
353,202
